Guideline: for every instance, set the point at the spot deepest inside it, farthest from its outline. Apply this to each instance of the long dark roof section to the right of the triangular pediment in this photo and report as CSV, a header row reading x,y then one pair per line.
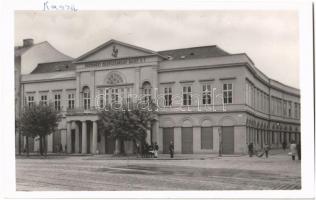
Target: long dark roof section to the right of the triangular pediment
x,y
194,52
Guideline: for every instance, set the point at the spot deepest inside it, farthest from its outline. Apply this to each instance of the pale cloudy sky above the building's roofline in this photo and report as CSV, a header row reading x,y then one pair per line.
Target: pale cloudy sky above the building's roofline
x,y
270,38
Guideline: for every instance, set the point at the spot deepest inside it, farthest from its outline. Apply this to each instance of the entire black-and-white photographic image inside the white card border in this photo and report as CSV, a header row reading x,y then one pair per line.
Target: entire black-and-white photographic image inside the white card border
x,y
158,100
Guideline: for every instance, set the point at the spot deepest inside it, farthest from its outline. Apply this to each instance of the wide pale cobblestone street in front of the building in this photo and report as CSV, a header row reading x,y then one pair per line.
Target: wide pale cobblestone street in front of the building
x,y
185,172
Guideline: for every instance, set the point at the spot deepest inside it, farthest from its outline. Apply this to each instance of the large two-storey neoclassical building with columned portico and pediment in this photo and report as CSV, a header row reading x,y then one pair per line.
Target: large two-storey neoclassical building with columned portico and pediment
x,y
204,94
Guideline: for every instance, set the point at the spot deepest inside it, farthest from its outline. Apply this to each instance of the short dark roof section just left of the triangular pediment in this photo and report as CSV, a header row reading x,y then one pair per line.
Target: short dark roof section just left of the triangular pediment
x,y
54,67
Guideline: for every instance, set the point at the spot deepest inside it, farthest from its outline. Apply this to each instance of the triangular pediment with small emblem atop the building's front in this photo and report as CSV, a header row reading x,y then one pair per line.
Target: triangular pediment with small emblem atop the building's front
x,y
114,49
